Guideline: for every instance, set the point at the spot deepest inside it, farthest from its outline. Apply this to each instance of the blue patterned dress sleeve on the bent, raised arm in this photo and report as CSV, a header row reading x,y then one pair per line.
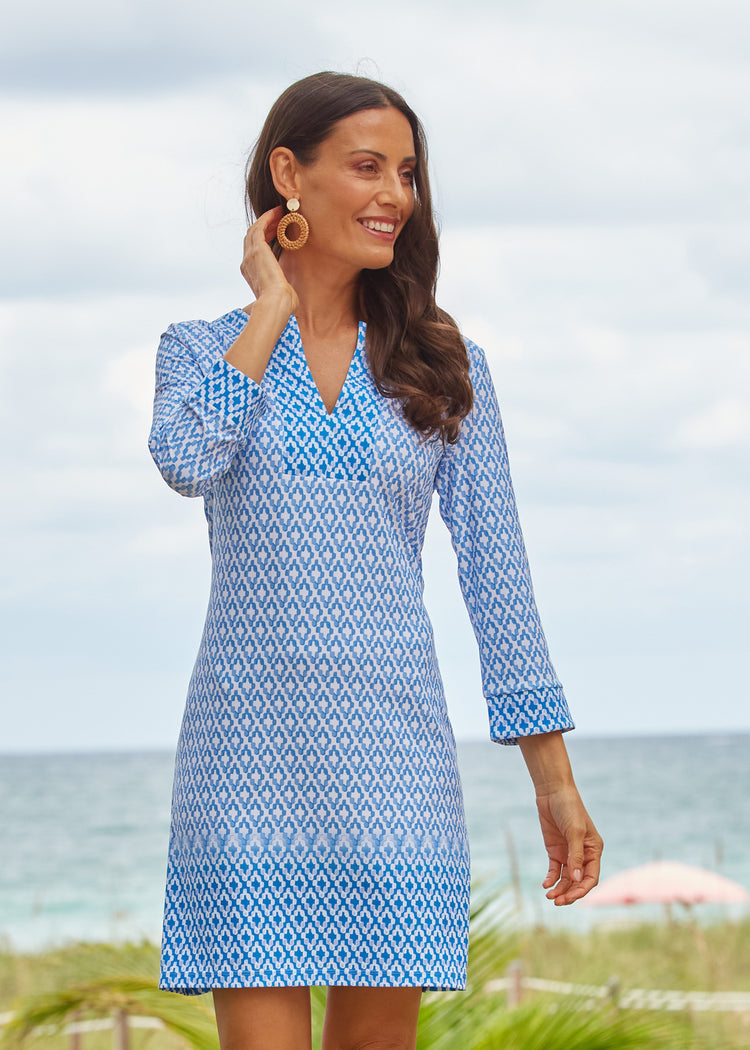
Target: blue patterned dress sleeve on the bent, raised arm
x,y
204,409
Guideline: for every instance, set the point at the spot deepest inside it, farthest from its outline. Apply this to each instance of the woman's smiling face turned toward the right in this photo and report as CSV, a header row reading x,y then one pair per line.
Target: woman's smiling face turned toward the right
x,y
359,194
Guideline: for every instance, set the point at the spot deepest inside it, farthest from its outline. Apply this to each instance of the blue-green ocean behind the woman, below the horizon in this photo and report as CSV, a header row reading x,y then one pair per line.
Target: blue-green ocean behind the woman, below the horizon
x,y
85,836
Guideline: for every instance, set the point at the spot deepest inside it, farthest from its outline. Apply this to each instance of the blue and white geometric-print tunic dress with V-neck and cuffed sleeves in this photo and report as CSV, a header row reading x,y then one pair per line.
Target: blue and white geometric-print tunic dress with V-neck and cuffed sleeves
x,y
318,831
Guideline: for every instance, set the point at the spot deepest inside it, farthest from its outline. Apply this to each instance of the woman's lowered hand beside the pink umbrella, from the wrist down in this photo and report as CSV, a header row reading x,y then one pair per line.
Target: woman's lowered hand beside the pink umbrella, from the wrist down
x,y
574,846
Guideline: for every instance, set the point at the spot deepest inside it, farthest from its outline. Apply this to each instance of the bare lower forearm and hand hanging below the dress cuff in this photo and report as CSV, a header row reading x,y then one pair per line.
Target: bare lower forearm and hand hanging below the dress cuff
x,y
574,845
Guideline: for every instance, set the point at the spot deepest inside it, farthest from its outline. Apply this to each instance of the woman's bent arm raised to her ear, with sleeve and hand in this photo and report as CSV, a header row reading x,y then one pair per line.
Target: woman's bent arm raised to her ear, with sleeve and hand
x,y
201,421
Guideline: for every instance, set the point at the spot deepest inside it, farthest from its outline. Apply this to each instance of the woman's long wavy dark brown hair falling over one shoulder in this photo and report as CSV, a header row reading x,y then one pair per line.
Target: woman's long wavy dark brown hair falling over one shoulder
x,y
415,350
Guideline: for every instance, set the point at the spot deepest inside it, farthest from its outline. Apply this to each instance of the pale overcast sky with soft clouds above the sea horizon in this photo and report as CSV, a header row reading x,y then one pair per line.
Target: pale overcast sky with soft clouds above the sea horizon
x,y
592,170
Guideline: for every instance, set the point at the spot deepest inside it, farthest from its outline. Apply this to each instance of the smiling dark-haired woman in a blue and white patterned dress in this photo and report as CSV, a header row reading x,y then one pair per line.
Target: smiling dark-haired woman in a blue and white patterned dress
x,y
319,833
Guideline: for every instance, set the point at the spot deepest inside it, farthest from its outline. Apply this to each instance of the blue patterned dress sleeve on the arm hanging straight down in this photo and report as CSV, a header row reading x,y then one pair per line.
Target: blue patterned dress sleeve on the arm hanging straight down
x,y
478,505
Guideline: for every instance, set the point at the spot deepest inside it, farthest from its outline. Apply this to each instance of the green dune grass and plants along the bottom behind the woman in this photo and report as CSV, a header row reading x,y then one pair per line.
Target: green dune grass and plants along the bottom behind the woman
x,y
92,980
